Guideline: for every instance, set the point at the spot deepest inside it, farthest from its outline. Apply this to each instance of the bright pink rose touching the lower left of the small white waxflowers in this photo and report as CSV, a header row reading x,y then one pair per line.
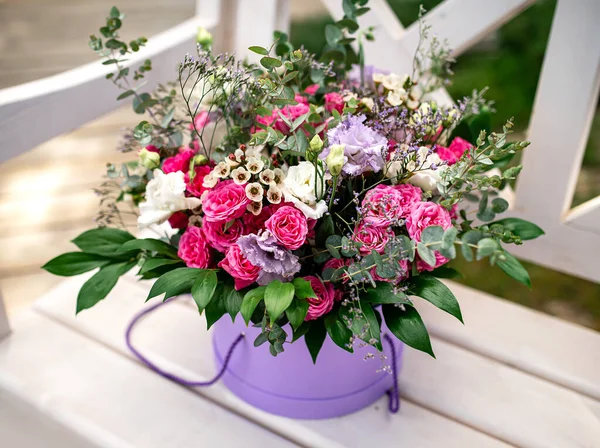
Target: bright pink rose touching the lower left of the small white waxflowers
x,y
225,202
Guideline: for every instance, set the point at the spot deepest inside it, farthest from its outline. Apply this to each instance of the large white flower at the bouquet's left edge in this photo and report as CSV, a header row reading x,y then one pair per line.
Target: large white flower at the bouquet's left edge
x,y
165,195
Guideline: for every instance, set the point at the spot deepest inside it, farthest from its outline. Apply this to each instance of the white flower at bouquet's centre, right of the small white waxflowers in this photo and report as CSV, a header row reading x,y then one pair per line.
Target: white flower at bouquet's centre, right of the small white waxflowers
x,y
299,189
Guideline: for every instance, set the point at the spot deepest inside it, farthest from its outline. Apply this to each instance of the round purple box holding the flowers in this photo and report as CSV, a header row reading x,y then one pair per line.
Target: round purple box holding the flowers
x,y
290,384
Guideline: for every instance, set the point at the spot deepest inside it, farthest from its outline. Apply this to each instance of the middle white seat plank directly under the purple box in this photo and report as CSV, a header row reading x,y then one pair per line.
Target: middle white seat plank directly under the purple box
x,y
183,346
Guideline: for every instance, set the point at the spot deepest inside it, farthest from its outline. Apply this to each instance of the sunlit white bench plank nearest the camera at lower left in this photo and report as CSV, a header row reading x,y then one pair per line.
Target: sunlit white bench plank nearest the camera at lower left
x,y
100,392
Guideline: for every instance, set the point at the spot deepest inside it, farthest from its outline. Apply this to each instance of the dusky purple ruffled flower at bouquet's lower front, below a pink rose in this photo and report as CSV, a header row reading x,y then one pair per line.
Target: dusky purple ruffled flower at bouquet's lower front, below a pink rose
x,y
275,261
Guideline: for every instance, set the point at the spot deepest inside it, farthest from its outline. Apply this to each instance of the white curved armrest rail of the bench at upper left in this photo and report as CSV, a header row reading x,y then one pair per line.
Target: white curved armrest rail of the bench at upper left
x,y
60,96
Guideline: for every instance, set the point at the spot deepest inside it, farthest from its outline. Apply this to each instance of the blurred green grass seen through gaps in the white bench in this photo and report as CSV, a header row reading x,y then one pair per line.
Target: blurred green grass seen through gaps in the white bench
x,y
509,62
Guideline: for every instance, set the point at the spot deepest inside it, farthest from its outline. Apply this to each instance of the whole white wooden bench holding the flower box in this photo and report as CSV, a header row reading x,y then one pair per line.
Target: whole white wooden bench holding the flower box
x,y
511,376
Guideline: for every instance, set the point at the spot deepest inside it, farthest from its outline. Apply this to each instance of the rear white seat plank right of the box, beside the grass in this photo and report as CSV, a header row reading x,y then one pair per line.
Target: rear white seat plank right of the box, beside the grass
x,y
541,345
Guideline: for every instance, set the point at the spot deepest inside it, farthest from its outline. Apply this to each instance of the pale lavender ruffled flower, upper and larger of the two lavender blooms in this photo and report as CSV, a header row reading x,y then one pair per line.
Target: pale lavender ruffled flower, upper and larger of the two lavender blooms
x,y
364,147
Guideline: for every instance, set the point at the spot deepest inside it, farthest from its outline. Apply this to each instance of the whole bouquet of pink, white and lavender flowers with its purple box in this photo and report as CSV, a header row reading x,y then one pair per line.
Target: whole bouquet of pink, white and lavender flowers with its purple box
x,y
318,198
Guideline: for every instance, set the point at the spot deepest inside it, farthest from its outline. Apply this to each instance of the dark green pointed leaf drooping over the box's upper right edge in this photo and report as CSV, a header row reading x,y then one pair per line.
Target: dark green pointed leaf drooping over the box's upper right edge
x,y
408,326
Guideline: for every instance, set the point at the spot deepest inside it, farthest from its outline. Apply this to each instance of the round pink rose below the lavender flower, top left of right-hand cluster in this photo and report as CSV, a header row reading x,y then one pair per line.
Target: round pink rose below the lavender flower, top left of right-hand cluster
x,y
382,206
